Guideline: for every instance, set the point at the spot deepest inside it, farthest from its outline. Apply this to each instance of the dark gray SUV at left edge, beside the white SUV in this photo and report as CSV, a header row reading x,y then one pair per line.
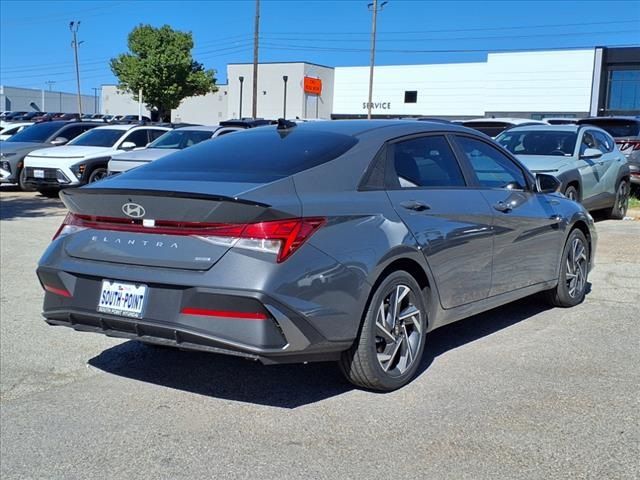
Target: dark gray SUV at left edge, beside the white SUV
x,y
40,135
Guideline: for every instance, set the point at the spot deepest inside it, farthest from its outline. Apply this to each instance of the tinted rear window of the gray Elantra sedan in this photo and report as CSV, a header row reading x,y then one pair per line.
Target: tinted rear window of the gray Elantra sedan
x,y
258,155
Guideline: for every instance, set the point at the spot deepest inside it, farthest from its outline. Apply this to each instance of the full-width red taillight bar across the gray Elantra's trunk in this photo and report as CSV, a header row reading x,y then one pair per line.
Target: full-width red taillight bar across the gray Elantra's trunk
x,y
280,237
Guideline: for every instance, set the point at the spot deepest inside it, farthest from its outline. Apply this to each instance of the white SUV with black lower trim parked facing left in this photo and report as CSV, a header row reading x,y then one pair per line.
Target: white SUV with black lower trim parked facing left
x,y
84,159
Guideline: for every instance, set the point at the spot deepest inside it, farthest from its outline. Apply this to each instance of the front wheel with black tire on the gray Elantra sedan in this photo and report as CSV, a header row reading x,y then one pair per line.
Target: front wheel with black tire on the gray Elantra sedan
x,y
562,295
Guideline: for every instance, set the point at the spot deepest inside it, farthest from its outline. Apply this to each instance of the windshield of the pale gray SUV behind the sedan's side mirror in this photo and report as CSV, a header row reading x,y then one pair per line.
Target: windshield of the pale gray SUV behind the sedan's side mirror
x,y
539,142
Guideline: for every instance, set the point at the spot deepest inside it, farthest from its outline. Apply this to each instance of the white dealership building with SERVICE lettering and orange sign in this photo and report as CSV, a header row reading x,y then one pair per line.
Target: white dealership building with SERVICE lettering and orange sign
x,y
529,84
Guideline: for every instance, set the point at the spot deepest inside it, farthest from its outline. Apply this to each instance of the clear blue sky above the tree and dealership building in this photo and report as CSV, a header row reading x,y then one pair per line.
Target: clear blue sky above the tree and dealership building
x,y
35,42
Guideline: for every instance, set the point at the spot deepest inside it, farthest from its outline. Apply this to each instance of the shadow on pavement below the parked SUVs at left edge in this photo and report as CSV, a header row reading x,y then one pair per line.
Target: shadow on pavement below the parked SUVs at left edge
x,y
16,204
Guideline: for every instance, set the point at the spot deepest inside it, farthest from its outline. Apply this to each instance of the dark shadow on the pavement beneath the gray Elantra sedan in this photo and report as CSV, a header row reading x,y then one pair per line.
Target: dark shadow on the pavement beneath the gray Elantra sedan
x,y
284,386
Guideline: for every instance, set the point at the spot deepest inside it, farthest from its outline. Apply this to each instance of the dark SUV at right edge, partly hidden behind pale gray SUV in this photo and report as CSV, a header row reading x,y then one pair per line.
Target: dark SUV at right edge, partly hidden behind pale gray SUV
x,y
626,132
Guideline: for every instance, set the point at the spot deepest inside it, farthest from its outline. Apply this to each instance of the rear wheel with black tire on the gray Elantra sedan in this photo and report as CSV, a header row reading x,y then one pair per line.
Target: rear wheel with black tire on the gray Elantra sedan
x,y
362,364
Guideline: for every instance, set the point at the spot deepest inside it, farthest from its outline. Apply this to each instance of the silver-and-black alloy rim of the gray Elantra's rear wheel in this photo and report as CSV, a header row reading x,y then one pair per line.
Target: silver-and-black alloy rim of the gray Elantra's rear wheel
x,y
399,327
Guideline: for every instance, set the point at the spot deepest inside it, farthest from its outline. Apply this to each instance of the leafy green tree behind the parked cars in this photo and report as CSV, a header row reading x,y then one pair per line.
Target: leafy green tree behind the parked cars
x,y
160,63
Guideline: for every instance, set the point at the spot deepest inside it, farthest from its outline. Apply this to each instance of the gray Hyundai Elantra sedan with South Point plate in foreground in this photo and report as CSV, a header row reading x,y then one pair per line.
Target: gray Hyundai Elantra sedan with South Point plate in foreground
x,y
345,241
